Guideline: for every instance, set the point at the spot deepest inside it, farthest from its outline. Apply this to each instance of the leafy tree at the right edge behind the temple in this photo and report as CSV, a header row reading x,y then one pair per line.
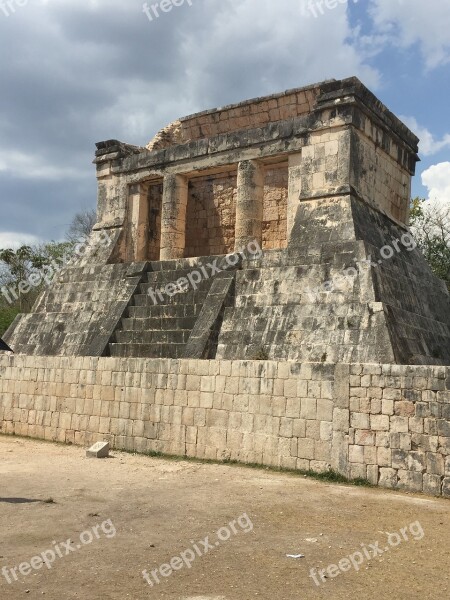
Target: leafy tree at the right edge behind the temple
x,y
430,225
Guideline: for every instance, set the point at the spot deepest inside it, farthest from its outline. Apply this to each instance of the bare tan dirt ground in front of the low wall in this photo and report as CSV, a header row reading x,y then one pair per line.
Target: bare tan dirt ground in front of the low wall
x,y
130,513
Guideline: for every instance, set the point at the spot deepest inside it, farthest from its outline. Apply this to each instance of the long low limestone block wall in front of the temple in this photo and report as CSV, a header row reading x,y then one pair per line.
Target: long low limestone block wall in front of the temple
x,y
389,424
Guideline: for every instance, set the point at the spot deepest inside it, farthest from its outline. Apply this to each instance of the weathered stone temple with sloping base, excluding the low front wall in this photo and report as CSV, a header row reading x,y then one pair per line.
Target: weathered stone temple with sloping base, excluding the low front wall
x,y
319,178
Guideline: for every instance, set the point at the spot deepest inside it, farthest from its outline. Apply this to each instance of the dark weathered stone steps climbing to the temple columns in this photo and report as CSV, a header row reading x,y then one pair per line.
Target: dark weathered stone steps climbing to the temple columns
x,y
158,325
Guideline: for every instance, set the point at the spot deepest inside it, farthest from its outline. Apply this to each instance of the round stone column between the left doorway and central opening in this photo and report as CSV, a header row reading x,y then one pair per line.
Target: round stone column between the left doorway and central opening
x,y
173,217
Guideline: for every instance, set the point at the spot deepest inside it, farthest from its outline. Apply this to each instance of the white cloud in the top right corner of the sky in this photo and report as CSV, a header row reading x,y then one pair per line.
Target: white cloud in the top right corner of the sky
x,y
408,22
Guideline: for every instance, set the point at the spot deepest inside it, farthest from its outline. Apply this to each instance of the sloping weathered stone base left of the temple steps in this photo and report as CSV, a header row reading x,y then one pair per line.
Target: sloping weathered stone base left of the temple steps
x,y
77,314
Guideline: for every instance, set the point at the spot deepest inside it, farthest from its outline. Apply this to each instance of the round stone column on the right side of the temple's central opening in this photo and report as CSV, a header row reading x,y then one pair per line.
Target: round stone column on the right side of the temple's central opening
x,y
249,205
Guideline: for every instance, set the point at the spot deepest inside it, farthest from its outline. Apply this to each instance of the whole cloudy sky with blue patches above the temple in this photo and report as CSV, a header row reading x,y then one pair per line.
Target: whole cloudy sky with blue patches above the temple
x,y
74,72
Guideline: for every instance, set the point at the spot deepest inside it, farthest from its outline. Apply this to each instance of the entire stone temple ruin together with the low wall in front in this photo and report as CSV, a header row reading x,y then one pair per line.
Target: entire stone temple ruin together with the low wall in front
x,y
260,300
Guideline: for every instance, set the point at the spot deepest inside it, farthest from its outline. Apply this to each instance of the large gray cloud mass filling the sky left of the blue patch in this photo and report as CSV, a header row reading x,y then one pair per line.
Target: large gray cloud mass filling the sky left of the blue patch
x,y
75,73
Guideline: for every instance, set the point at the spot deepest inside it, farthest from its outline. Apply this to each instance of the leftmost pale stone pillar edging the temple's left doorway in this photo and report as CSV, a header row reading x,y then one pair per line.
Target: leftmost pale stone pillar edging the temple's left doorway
x,y
138,223
